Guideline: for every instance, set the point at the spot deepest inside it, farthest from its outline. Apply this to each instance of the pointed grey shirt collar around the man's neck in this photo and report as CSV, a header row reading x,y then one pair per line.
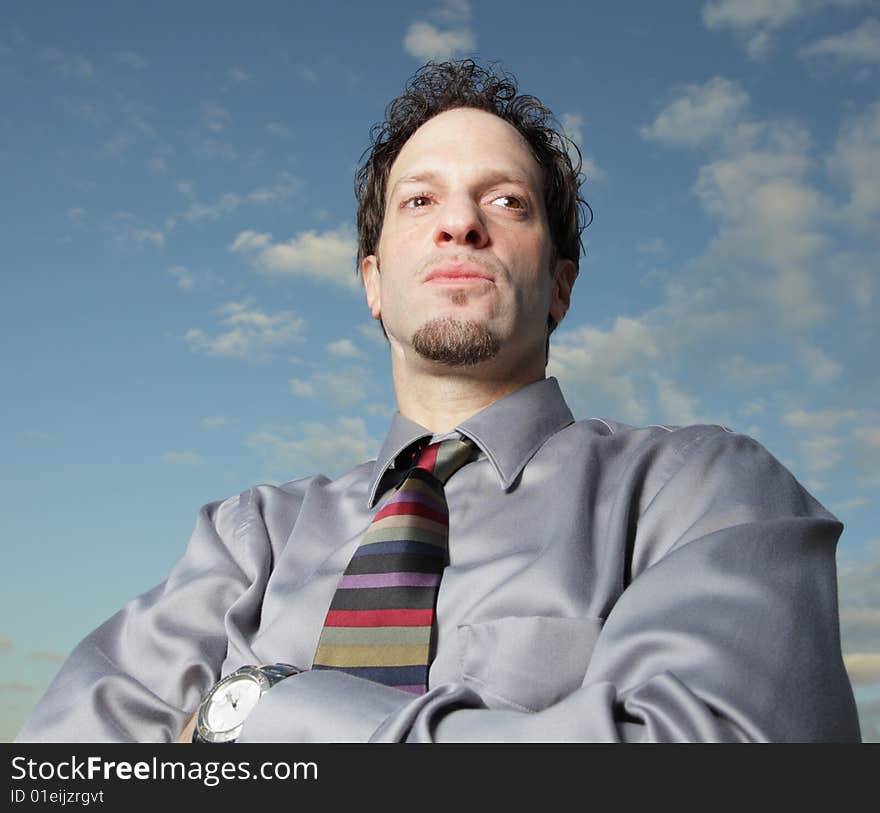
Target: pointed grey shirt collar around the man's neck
x,y
509,431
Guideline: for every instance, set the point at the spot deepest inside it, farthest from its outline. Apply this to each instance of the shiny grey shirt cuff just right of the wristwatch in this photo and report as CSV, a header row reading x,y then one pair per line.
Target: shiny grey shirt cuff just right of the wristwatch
x,y
322,706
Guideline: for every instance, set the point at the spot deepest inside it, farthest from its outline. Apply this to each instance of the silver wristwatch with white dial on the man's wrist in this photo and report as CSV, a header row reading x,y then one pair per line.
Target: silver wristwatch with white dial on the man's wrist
x,y
226,706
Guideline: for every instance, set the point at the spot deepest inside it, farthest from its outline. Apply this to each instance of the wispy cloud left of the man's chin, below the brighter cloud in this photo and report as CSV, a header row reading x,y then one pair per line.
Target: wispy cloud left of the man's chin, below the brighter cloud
x,y
250,333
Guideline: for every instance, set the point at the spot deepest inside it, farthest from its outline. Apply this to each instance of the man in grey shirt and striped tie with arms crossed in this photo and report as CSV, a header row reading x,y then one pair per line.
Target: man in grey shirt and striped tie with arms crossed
x,y
596,581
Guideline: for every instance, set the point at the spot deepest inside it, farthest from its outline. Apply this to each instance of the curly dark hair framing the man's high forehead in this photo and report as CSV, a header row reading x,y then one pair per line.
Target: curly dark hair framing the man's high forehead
x,y
437,87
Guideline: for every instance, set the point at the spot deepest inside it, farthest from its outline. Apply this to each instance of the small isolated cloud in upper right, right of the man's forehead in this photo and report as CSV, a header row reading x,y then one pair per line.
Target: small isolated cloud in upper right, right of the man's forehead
x,y
705,113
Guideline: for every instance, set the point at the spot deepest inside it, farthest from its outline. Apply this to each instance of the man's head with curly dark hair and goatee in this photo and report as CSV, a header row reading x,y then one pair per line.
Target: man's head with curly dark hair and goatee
x,y
458,135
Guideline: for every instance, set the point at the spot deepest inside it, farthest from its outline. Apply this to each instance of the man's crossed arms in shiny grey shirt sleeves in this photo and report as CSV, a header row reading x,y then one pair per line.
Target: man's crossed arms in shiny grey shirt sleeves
x,y
727,631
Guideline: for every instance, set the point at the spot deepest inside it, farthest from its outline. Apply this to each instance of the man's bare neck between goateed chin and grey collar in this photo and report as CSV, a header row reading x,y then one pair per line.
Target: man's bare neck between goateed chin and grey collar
x,y
441,399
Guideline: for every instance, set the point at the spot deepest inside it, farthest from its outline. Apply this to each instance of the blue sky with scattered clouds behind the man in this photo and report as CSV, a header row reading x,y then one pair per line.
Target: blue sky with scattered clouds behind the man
x,y
181,317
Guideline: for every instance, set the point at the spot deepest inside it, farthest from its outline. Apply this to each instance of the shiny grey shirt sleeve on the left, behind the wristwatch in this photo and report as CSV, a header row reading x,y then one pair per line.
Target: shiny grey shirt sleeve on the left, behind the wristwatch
x,y
139,675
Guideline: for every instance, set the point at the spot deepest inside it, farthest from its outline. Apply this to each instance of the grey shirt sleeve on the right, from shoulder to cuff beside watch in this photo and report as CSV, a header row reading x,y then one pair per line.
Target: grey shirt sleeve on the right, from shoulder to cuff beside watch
x,y
727,631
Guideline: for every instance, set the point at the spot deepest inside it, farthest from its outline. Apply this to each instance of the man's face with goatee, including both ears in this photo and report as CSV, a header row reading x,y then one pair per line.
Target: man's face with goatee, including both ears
x,y
462,271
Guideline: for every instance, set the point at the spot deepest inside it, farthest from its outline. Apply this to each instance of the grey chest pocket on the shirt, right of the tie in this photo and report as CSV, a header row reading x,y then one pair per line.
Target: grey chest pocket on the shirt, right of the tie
x,y
526,663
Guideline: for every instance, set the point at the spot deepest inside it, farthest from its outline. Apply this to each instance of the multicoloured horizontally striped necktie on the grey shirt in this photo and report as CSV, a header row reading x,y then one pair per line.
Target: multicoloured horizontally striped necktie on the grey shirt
x,y
381,617
